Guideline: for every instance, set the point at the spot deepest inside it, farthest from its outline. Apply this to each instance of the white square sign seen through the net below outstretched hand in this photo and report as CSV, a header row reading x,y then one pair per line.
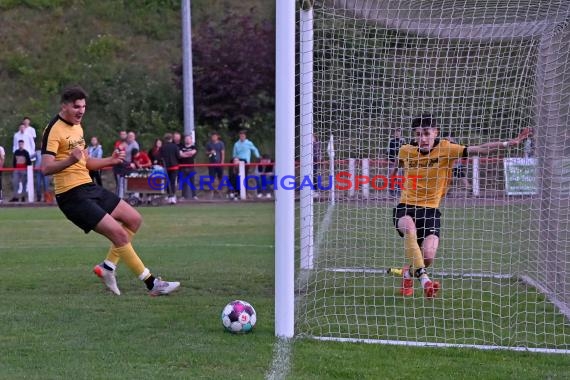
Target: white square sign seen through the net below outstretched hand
x,y
521,176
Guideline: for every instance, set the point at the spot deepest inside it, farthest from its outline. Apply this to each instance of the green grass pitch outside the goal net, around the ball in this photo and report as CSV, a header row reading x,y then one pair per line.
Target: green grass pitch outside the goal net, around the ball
x,y
57,322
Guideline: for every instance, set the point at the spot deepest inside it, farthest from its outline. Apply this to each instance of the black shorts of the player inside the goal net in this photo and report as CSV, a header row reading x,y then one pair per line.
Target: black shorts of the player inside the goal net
x,y
426,219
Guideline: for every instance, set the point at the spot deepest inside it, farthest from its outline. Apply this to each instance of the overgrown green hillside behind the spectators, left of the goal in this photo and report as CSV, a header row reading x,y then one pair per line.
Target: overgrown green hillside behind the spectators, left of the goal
x,y
120,51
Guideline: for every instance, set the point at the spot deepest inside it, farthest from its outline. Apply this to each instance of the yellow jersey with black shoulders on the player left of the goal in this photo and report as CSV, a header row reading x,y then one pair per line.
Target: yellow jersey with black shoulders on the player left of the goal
x,y
59,139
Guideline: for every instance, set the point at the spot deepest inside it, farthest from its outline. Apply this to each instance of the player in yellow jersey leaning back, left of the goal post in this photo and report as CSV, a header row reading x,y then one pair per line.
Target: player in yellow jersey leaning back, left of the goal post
x,y
87,205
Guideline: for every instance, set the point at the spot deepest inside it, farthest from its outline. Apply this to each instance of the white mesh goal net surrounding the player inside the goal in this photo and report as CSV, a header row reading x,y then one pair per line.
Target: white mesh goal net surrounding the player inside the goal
x,y
485,70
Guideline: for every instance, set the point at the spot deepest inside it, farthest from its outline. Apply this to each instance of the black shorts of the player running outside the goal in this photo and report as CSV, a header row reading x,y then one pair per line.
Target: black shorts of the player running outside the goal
x,y
86,205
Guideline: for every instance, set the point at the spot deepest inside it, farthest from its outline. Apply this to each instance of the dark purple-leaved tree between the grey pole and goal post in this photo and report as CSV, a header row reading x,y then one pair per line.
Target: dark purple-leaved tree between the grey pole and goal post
x,y
234,72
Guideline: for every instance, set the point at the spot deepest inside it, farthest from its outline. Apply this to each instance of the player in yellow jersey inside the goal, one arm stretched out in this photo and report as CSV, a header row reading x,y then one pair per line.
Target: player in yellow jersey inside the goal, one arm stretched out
x,y
417,216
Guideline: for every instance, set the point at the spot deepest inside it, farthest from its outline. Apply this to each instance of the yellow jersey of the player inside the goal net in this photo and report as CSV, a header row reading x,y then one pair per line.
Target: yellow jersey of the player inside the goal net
x,y
432,170
